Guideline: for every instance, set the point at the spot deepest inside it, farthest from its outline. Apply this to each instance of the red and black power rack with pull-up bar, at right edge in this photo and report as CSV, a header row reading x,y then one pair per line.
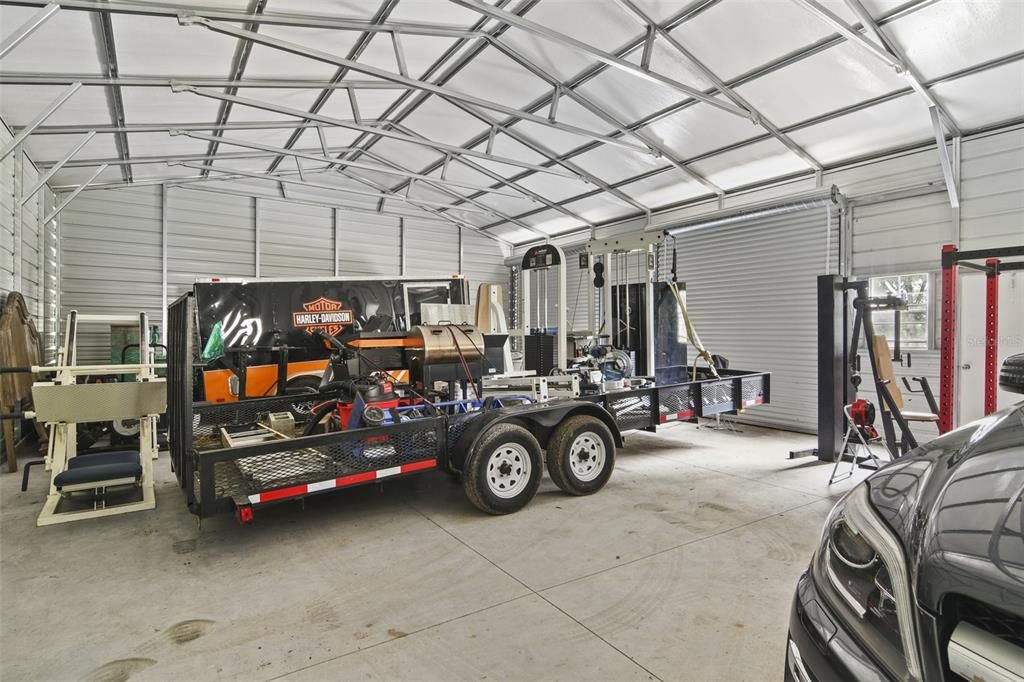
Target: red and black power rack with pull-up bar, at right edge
x,y
952,260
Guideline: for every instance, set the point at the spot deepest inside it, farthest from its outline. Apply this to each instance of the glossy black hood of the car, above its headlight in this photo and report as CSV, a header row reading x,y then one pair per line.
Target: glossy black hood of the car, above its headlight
x,y
957,504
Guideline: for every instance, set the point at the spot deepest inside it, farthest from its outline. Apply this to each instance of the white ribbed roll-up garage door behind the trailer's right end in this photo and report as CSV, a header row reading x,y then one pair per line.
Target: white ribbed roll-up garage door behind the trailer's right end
x,y
751,292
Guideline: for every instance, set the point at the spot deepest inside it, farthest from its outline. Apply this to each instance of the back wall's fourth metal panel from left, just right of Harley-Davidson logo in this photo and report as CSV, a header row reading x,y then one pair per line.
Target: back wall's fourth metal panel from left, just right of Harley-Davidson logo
x,y
369,245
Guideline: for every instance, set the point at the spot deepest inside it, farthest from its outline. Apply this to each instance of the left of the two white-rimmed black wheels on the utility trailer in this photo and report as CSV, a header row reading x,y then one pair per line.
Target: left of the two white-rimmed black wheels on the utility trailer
x,y
504,471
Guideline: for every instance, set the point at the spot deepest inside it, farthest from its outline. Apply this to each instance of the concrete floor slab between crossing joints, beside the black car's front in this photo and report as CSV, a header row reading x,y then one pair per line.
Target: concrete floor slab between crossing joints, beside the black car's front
x,y
714,610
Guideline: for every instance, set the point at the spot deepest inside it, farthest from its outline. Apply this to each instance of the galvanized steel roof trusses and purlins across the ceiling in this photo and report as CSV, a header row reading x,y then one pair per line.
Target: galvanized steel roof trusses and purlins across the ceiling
x,y
416,86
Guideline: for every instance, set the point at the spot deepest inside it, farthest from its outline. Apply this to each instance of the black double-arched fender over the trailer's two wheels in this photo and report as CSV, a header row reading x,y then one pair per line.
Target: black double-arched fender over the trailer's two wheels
x,y
541,420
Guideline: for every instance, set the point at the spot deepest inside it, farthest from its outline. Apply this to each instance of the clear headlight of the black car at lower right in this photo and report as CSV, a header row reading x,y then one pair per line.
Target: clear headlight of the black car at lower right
x,y
862,568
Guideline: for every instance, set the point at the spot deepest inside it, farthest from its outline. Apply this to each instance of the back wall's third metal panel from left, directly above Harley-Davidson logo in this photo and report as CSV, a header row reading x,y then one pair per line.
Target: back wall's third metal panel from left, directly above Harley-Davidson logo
x,y
296,240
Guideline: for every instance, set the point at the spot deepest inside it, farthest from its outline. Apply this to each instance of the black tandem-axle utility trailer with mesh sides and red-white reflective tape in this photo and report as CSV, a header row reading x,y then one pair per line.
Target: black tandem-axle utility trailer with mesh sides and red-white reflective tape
x,y
498,449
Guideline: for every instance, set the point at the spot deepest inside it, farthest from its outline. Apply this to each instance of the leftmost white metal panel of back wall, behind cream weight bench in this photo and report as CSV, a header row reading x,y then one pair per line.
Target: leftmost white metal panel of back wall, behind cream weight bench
x,y
111,260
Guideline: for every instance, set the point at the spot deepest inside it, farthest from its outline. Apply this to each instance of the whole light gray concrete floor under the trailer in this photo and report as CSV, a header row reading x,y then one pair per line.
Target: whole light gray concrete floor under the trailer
x,y
681,569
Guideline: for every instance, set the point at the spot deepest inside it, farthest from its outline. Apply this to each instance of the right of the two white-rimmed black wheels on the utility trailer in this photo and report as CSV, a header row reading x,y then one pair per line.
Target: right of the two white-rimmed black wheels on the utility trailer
x,y
581,455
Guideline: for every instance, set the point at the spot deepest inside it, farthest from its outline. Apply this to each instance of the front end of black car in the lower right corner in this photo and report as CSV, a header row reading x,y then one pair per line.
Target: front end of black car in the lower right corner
x,y
920,573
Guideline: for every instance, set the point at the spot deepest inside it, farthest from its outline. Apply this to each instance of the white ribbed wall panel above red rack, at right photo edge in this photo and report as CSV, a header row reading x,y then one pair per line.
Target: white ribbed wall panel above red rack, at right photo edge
x,y
993,191
